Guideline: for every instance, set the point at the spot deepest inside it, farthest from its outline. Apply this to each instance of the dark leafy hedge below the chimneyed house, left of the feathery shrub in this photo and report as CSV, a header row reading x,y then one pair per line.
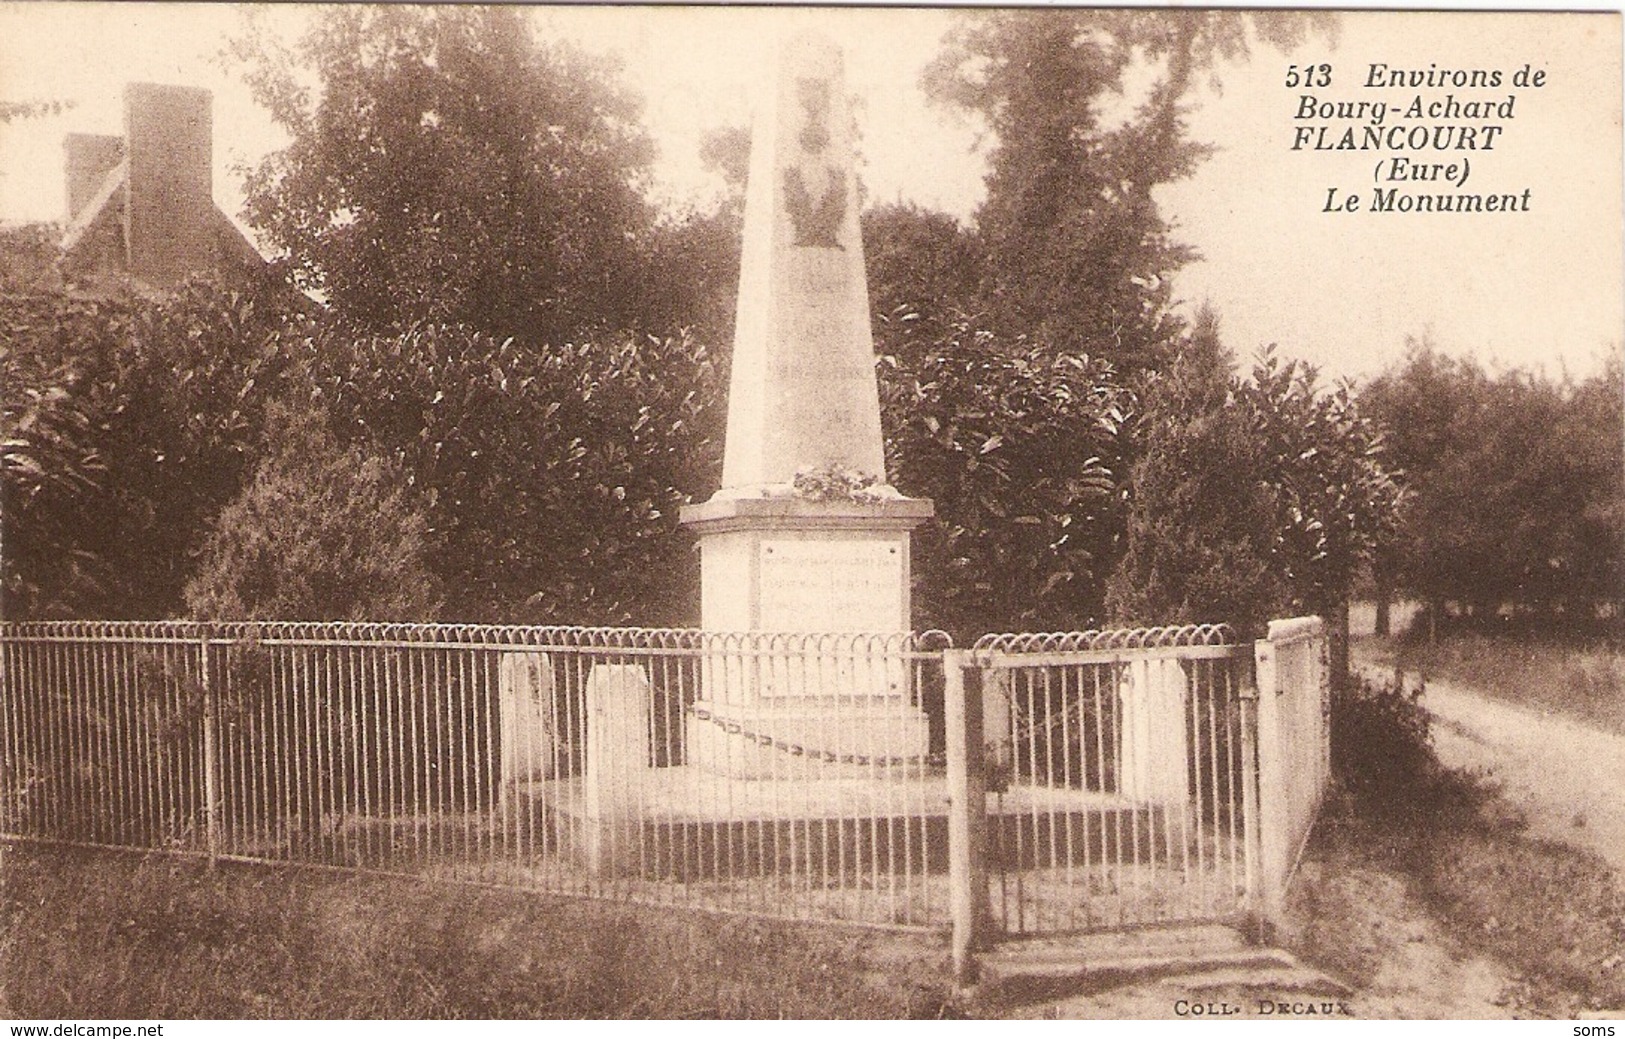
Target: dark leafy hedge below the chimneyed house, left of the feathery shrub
x,y
168,396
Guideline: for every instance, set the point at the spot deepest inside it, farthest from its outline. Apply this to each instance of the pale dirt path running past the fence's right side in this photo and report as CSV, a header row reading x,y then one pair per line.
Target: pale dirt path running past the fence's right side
x,y
1567,778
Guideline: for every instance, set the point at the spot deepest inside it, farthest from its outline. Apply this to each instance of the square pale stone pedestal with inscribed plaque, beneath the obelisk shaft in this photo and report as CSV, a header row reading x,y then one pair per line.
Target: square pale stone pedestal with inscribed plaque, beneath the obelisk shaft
x,y
818,680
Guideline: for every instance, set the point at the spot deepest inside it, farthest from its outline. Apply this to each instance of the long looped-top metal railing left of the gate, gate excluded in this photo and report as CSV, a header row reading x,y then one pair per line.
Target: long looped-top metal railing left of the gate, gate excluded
x,y
794,776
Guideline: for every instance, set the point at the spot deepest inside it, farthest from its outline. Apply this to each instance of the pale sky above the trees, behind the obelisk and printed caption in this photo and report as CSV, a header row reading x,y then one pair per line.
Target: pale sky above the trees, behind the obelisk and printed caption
x,y
1343,290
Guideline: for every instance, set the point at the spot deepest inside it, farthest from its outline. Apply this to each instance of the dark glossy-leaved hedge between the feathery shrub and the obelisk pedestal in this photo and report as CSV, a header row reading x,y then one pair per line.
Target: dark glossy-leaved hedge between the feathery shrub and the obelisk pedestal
x,y
552,482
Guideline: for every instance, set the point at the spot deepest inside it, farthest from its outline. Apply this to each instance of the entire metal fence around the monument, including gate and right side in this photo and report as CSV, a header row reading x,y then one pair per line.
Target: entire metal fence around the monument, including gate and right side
x,y
1034,785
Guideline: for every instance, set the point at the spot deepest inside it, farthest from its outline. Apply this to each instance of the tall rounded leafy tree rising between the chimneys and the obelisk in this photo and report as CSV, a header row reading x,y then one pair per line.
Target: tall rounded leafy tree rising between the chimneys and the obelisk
x,y
453,170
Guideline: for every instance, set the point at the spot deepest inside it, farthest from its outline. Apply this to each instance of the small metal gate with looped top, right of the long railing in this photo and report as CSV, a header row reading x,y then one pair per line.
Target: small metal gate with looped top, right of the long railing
x,y
1116,772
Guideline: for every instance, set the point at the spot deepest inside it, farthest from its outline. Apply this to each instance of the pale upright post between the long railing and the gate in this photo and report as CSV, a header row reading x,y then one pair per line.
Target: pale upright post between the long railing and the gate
x,y
968,814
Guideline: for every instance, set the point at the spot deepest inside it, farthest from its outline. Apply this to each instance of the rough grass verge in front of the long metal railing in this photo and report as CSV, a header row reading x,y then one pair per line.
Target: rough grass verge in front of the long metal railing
x,y
110,936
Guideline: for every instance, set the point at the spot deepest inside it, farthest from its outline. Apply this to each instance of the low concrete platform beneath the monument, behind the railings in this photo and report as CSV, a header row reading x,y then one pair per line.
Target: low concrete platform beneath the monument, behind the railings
x,y
685,824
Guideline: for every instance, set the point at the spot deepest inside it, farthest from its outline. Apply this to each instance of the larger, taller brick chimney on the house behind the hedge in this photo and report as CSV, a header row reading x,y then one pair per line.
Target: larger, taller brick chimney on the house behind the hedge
x,y
171,188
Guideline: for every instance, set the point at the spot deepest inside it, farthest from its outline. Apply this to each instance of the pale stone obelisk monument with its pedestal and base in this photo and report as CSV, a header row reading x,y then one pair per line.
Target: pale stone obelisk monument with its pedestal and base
x,y
807,534
